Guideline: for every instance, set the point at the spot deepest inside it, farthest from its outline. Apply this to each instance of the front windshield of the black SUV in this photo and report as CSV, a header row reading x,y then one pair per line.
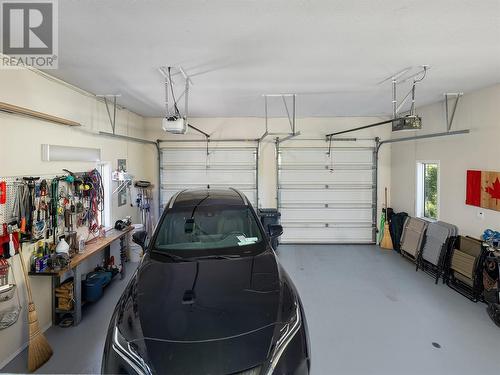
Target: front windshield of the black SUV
x,y
184,230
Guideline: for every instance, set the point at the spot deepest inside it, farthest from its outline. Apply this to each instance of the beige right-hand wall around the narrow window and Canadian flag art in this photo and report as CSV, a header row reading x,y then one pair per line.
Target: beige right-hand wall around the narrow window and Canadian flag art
x,y
478,111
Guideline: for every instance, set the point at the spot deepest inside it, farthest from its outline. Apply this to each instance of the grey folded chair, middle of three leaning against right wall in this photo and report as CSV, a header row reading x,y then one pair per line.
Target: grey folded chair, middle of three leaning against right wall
x,y
439,238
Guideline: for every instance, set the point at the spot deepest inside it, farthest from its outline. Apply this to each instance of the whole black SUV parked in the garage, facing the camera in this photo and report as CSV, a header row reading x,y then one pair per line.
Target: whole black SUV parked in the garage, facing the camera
x,y
209,296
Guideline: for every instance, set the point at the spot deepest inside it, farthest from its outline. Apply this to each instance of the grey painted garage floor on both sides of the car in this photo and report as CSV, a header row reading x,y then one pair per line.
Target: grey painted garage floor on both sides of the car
x,y
368,312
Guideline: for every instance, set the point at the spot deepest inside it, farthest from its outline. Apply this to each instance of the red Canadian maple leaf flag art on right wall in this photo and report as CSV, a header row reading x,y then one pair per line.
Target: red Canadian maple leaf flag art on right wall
x,y
483,189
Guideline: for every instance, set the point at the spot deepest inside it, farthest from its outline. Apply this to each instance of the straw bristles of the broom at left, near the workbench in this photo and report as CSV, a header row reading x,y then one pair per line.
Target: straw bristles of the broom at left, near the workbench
x,y
39,350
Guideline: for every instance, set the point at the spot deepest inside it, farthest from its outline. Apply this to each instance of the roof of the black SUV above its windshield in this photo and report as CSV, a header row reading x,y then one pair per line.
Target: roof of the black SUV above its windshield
x,y
208,196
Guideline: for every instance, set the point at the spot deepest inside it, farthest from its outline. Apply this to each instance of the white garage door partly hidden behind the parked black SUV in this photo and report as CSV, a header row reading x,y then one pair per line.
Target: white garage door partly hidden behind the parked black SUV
x,y
185,168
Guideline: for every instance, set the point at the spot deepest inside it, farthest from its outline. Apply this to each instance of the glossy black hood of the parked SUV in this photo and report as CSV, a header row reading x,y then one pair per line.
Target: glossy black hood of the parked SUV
x,y
203,314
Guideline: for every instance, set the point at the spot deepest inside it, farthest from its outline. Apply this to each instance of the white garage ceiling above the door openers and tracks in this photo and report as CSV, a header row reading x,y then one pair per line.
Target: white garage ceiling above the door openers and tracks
x,y
332,51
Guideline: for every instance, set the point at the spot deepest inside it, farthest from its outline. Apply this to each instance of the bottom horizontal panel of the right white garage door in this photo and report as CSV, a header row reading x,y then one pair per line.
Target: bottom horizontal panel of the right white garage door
x,y
326,234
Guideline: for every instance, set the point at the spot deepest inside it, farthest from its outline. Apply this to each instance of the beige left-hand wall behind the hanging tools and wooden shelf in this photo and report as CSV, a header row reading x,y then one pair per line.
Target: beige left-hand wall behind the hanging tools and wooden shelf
x,y
20,154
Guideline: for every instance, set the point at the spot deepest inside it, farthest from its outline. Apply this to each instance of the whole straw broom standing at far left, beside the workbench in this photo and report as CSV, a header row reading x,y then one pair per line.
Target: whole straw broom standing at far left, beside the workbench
x,y
39,350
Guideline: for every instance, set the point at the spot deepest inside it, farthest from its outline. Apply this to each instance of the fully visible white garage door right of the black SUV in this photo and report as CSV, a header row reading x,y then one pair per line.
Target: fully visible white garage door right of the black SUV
x,y
326,199
